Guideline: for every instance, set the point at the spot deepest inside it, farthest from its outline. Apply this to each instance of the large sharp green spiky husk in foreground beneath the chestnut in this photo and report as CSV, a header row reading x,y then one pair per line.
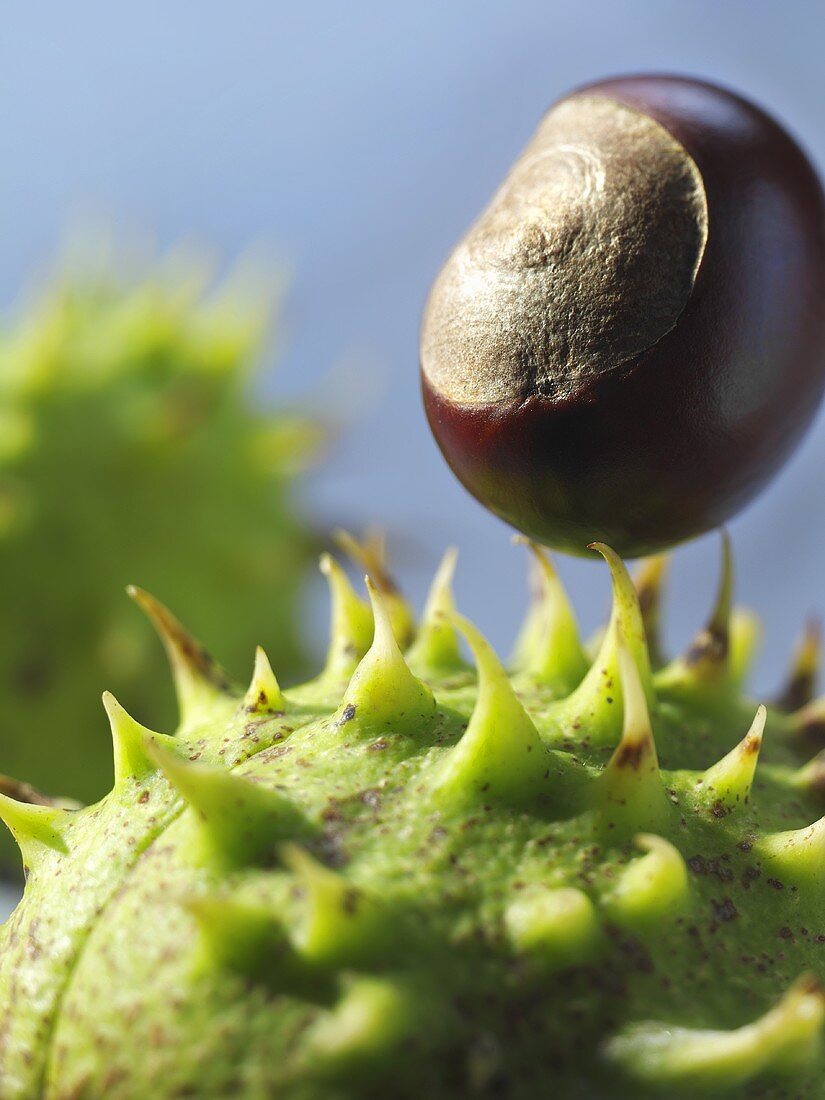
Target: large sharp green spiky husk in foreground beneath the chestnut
x,y
415,877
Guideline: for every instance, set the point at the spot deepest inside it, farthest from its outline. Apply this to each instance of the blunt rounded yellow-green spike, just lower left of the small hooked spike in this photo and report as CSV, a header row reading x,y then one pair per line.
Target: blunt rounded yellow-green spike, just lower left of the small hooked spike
x,y
558,927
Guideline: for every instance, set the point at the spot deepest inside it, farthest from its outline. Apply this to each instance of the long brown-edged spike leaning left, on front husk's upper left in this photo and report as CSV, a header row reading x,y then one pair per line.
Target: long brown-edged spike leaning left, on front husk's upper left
x,y
200,680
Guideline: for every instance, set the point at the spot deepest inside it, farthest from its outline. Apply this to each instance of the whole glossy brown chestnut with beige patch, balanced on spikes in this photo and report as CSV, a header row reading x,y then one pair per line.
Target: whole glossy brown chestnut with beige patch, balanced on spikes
x,y
631,340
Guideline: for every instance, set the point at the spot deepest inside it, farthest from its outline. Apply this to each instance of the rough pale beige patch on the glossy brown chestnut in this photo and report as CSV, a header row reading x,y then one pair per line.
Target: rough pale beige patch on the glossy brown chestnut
x,y
586,258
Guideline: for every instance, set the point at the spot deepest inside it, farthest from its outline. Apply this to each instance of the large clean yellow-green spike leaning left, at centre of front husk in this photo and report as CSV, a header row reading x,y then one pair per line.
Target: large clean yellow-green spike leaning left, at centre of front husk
x,y
501,755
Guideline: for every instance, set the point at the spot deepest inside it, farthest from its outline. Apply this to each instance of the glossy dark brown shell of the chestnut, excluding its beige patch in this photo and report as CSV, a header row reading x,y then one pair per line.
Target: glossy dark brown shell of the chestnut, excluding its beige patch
x,y
675,442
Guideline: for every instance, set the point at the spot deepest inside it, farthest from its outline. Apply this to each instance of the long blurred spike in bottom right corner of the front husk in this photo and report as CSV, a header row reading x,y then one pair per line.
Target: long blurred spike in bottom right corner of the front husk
x,y
785,1040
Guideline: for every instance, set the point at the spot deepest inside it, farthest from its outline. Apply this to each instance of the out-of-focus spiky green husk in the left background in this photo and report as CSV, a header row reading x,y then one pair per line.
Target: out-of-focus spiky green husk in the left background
x,y
131,448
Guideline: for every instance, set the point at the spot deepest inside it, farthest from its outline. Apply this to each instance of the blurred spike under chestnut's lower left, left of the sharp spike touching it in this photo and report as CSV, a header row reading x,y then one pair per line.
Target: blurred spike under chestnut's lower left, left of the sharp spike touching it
x,y
549,648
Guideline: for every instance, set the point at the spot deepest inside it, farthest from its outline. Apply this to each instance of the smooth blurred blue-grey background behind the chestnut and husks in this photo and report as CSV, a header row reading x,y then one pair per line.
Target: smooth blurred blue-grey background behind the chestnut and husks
x,y
358,140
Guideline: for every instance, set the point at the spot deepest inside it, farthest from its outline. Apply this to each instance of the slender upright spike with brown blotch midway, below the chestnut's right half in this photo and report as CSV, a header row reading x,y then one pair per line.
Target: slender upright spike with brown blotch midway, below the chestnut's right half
x,y
630,795
